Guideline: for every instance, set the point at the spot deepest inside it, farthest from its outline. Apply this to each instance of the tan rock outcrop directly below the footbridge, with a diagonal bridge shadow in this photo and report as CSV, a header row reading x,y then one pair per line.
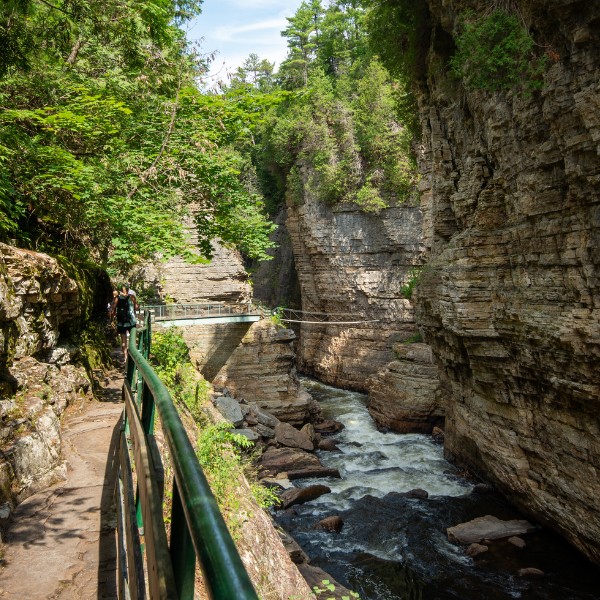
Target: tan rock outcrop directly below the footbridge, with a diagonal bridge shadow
x,y
256,362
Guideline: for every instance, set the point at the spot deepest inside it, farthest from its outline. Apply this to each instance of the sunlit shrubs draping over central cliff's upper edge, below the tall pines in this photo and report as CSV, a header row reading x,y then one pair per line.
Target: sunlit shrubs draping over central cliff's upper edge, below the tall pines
x,y
342,142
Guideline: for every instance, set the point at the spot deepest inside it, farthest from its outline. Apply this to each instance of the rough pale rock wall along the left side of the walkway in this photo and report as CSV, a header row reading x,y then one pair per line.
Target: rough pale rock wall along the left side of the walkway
x,y
39,305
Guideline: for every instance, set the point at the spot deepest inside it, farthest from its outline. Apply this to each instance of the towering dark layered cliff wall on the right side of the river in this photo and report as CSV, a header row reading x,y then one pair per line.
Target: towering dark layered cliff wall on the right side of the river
x,y
509,303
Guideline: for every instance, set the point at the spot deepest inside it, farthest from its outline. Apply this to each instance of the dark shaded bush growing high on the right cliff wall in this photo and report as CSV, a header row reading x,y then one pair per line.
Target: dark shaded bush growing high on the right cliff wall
x,y
496,52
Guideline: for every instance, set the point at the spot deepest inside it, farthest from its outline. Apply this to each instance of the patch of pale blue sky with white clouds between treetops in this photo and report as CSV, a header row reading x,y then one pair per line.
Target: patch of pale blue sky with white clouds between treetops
x,y
236,28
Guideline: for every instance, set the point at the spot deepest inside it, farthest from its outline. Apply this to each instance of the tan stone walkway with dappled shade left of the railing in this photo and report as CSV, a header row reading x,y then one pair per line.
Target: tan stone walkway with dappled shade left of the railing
x,y
61,544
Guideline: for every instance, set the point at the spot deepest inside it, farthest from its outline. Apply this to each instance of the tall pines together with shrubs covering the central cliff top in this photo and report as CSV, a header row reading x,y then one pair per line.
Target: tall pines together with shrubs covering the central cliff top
x,y
344,134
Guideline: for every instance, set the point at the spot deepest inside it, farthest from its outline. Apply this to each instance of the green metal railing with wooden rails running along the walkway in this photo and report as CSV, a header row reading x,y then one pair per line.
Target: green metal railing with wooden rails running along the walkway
x,y
149,566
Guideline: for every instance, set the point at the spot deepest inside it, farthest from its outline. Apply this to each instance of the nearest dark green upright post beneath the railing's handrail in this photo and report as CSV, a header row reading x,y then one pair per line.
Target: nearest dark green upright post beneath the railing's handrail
x,y
181,547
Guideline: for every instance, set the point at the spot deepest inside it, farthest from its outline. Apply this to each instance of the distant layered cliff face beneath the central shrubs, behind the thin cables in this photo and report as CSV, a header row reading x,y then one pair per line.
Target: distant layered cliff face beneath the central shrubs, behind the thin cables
x,y
352,262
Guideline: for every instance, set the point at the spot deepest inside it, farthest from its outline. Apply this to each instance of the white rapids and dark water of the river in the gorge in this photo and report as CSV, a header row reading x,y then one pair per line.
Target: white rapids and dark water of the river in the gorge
x,y
393,547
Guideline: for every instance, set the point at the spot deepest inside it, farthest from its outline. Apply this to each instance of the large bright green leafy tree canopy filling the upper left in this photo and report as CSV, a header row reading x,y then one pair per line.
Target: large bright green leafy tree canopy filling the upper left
x,y
105,140
